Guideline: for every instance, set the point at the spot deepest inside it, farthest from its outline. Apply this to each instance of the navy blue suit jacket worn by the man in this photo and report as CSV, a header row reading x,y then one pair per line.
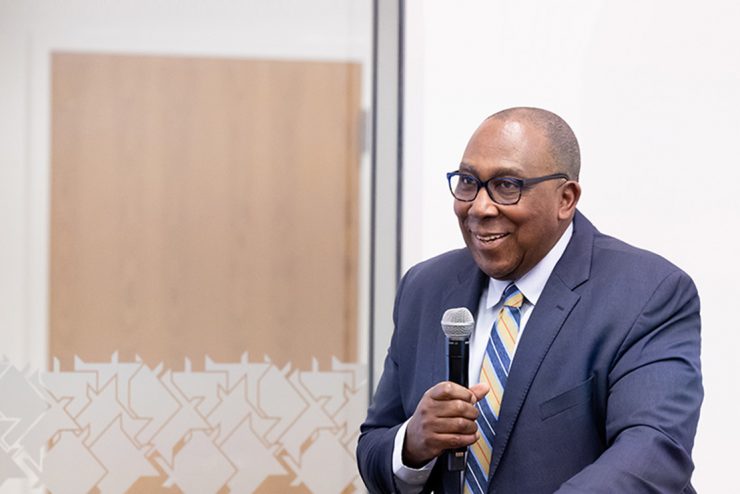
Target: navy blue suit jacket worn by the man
x,y
604,391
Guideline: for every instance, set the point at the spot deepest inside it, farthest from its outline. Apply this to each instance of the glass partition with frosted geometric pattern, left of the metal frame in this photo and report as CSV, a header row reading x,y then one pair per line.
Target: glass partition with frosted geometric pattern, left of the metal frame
x,y
197,245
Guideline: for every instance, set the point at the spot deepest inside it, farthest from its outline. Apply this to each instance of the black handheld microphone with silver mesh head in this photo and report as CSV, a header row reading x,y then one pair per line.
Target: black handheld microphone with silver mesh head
x,y
457,325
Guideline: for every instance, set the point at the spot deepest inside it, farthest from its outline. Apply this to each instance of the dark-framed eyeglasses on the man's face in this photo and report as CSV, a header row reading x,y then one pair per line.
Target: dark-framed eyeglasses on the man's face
x,y
505,191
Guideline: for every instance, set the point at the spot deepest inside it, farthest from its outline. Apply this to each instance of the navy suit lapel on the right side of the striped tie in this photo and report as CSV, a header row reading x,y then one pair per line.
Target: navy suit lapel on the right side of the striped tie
x,y
548,317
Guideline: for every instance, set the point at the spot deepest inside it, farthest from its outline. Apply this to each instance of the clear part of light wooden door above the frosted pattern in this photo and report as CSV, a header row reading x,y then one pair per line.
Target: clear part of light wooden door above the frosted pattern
x,y
203,206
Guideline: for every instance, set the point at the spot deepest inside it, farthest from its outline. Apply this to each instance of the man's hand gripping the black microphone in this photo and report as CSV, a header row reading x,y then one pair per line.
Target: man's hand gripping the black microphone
x,y
444,419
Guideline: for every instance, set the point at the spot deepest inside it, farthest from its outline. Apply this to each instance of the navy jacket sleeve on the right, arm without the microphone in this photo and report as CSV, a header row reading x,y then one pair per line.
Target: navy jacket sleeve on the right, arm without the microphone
x,y
654,395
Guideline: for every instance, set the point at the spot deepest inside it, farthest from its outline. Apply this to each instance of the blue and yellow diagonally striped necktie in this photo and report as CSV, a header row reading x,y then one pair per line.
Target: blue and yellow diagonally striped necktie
x,y
495,370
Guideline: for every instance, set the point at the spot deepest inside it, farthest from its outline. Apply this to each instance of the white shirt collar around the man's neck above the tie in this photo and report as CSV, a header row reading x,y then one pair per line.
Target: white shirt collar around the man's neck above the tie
x,y
533,282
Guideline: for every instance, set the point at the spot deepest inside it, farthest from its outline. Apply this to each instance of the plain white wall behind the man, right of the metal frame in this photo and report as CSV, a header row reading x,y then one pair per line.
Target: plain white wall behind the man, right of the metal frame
x,y
652,90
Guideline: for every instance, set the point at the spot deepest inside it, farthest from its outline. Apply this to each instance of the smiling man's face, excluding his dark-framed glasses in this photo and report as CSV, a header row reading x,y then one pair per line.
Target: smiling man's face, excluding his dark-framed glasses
x,y
508,241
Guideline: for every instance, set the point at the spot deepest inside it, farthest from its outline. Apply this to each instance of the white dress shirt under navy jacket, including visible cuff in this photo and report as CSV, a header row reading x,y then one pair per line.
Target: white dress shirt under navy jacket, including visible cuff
x,y
411,480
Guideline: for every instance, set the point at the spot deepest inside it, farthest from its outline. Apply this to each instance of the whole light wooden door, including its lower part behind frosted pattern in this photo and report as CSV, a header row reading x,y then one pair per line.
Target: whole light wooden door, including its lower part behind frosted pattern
x,y
203,273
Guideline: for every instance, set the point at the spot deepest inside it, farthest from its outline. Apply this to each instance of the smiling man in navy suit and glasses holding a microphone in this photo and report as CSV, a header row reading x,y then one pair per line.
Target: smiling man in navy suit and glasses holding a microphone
x,y
589,348
